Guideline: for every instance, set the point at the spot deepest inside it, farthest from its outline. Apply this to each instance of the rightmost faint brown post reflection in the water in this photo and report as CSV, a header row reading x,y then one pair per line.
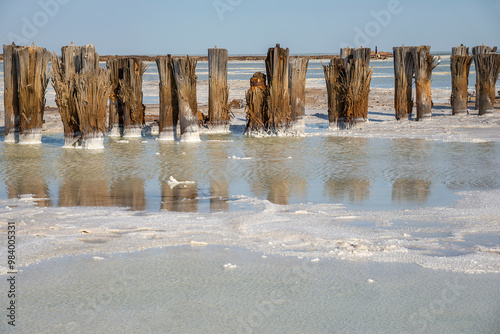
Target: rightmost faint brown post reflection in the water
x,y
410,190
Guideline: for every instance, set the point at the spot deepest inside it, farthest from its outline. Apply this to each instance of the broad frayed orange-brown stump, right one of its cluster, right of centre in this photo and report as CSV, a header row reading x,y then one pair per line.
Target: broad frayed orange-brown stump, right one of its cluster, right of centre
x,y
354,89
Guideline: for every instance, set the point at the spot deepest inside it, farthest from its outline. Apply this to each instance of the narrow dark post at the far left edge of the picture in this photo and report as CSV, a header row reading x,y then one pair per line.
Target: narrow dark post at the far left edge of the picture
x,y
11,102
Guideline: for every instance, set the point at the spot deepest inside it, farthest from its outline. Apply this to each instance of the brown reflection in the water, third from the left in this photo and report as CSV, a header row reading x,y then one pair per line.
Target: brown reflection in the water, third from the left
x,y
128,192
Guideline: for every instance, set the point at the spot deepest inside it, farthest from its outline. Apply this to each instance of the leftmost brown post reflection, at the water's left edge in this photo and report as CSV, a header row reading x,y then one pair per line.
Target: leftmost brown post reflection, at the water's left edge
x,y
26,177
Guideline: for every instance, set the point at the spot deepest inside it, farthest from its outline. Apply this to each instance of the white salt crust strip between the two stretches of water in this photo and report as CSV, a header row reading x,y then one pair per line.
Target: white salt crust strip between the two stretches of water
x,y
301,230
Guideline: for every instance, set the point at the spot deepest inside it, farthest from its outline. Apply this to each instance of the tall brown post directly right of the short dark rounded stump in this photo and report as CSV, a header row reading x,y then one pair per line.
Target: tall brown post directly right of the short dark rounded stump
x,y
278,100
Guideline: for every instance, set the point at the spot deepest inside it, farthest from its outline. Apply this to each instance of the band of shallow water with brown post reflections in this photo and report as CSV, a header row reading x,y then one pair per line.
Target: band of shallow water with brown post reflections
x,y
358,172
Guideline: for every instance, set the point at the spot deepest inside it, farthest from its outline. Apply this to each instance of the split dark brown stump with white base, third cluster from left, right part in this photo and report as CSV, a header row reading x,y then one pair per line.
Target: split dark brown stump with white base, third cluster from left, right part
x,y
130,95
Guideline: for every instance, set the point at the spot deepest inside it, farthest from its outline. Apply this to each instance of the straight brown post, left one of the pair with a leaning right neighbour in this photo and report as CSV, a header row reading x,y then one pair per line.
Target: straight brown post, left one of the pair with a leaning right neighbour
x,y
403,81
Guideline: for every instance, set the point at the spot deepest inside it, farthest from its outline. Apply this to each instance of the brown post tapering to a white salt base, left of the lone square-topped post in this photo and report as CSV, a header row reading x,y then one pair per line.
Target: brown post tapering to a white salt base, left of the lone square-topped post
x,y
185,80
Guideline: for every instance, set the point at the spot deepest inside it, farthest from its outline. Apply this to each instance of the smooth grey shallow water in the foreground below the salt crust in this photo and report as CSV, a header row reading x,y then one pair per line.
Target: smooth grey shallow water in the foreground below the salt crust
x,y
195,290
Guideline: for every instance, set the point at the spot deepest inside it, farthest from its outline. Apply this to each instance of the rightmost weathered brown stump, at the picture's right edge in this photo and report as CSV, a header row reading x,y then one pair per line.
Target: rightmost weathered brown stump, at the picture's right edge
x,y
488,69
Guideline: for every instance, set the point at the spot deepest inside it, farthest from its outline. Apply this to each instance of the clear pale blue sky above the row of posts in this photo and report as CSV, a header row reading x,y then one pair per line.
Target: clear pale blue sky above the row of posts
x,y
248,26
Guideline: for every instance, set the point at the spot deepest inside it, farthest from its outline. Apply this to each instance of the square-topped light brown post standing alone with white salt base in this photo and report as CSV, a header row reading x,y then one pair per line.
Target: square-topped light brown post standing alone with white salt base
x,y
218,91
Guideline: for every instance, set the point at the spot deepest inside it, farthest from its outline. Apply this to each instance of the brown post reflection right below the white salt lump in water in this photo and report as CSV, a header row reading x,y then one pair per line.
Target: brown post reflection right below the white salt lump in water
x,y
179,197
